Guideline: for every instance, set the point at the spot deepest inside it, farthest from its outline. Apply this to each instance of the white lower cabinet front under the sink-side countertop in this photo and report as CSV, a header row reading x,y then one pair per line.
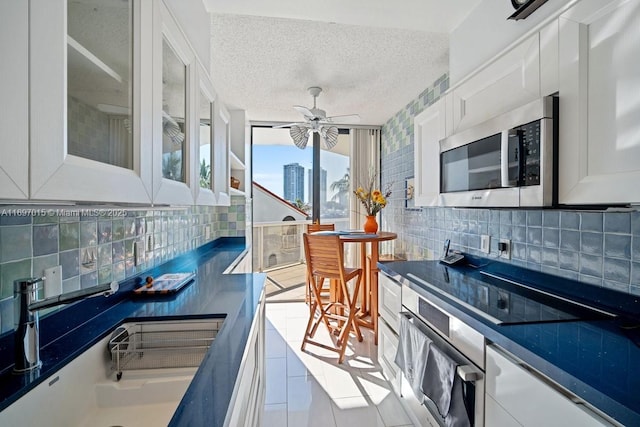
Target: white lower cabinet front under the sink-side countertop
x,y
247,400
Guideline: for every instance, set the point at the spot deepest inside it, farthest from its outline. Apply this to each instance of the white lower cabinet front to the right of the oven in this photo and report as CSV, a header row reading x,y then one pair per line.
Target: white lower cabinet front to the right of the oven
x,y
517,396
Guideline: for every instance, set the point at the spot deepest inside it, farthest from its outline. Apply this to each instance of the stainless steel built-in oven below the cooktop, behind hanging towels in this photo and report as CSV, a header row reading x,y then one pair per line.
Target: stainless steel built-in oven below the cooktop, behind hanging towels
x,y
460,343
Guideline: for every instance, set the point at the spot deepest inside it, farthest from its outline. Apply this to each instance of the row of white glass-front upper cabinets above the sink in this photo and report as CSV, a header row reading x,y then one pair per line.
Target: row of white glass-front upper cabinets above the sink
x,y
106,101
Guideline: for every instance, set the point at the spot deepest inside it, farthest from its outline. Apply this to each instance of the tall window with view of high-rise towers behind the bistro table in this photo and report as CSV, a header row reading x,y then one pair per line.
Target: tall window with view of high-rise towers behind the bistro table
x,y
283,197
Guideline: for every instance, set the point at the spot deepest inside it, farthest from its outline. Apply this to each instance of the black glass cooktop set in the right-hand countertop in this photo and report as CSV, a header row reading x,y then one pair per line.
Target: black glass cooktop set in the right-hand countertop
x,y
503,301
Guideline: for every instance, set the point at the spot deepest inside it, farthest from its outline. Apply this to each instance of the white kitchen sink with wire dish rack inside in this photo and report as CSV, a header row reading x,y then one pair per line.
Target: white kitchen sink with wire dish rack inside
x,y
135,377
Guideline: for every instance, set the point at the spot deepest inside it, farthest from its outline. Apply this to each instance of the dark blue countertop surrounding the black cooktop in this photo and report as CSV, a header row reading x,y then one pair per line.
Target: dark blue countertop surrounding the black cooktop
x,y
594,359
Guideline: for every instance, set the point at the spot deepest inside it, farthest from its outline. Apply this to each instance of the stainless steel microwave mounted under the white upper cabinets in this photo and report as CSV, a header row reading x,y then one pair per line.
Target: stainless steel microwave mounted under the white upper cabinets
x,y
507,161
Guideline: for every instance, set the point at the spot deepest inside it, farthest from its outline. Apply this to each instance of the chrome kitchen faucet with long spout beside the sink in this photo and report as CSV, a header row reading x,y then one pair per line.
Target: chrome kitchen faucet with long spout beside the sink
x,y
26,308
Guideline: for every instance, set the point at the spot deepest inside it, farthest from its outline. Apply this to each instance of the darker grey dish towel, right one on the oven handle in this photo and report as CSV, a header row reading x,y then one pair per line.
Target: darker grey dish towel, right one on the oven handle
x,y
444,388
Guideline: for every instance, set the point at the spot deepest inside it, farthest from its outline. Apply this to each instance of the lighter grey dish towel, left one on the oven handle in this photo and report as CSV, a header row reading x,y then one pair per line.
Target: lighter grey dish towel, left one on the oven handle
x,y
411,357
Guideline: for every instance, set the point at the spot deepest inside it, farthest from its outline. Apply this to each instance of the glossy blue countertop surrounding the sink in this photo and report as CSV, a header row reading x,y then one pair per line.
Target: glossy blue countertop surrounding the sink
x,y
69,332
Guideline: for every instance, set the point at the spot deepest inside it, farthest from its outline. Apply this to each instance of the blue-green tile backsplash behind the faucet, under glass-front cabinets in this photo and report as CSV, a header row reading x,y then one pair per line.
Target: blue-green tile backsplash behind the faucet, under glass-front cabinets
x,y
98,246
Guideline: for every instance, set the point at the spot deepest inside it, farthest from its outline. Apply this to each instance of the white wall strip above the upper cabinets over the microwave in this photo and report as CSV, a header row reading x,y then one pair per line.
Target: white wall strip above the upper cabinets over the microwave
x,y
486,31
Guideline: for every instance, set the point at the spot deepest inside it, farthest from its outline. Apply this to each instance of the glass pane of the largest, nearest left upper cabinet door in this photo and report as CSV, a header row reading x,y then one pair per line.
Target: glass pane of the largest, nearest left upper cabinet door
x,y
99,81
